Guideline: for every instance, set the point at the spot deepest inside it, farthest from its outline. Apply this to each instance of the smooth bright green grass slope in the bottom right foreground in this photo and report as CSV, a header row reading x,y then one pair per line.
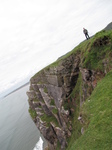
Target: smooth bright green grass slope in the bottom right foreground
x,y
98,108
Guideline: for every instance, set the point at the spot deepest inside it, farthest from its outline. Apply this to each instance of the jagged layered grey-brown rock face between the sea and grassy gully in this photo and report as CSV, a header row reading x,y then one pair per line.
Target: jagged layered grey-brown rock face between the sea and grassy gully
x,y
48,91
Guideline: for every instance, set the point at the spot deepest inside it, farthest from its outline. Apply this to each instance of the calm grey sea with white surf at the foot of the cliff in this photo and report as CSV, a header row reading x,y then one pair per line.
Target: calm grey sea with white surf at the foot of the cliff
x,y
17,130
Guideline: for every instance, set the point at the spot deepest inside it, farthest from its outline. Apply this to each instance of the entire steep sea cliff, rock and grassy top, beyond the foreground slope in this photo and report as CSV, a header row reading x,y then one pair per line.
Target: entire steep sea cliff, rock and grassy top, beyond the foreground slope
x,y
58,93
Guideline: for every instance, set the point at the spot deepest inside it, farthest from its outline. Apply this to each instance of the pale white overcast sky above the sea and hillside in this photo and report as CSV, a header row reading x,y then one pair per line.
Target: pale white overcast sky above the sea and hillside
x,y
34,33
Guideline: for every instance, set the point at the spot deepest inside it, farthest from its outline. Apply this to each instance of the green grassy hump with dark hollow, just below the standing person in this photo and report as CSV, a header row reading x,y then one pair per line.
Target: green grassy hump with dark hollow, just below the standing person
x,y
100,47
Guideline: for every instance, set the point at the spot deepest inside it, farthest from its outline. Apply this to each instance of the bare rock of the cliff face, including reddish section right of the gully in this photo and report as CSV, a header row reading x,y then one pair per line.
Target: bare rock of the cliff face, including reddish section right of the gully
x,y
51,105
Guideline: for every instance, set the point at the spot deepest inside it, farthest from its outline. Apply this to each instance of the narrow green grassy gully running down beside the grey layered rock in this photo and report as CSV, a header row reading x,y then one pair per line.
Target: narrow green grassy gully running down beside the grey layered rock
x,y
75,103
